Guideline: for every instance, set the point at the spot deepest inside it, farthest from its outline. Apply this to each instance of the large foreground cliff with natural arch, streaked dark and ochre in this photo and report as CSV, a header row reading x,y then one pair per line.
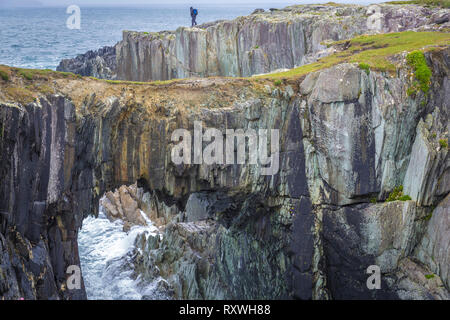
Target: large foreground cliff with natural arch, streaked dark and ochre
x,y
350,139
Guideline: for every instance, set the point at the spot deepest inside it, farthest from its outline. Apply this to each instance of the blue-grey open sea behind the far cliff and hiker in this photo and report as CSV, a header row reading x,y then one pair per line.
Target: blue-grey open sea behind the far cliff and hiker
x,y
38,38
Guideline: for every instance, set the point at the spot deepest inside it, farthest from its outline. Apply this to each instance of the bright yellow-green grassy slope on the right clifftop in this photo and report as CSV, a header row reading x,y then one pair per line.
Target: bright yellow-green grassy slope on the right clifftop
x,y
371,51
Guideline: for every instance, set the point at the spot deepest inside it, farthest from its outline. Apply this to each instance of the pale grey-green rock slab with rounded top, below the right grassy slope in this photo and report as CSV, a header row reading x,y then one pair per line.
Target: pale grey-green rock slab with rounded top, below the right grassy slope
x,y
341,125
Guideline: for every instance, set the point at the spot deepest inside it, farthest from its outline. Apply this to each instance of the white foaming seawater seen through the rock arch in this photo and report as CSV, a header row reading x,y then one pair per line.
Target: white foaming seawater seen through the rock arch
x,y
106,264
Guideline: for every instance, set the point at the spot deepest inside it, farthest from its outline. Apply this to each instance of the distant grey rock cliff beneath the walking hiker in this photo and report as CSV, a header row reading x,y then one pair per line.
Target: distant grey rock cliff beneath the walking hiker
x,y
256,44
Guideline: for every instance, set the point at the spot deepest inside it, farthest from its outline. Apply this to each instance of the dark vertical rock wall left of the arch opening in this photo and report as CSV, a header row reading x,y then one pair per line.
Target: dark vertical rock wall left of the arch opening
x,y
45,186
